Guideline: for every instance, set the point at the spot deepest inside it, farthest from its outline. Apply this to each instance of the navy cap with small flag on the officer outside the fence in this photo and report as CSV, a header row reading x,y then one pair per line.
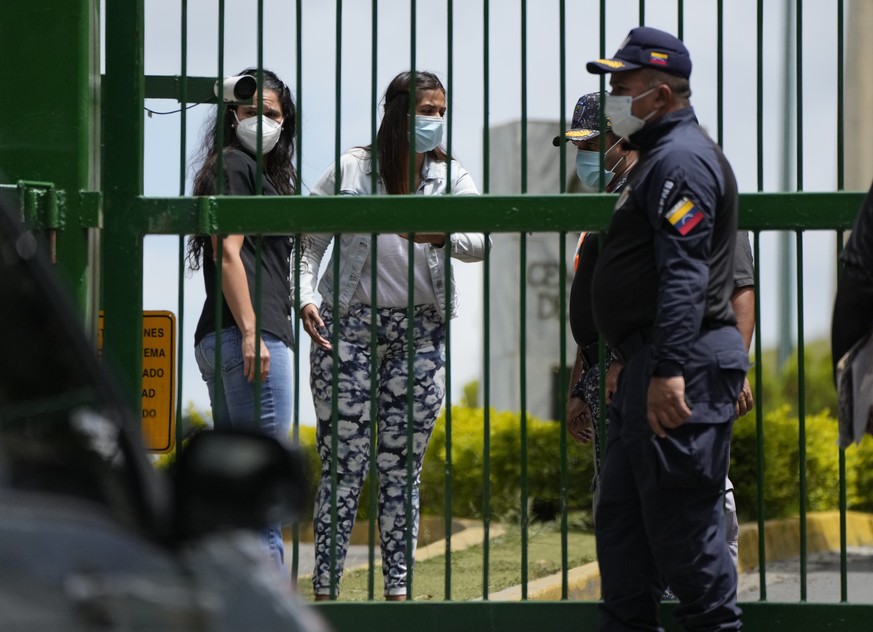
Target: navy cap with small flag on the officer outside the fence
x,y
646,47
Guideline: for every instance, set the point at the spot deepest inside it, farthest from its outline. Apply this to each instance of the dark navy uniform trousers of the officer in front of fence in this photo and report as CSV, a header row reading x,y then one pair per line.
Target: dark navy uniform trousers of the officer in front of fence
x,y
660,521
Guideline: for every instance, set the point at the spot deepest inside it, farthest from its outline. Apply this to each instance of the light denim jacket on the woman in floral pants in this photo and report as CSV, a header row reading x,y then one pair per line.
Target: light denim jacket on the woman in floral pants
x,y
355,248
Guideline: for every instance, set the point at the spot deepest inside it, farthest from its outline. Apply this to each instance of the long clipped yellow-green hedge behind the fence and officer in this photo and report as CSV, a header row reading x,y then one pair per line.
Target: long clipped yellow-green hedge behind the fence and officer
x,y
781,466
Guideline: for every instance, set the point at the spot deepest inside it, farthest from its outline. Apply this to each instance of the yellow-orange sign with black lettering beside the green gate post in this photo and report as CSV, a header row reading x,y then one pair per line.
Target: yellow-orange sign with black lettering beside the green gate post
x,y
158,378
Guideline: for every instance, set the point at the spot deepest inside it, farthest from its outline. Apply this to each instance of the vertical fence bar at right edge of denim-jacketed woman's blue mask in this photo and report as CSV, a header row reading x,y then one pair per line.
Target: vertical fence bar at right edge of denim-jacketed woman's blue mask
x,y
450,21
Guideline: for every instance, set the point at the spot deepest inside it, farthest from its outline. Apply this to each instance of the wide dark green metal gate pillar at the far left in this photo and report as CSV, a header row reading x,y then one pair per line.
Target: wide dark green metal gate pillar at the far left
x,y
51,131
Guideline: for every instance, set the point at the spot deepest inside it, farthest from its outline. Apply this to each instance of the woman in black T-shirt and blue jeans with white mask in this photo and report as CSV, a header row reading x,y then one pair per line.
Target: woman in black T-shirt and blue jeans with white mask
x,y
255,388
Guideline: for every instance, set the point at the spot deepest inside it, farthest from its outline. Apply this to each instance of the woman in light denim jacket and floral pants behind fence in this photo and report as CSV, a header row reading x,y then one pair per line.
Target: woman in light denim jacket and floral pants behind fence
x,y
355,306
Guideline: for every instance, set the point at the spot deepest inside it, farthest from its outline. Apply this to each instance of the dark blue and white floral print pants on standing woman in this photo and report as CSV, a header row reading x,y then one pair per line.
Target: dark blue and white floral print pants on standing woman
x,y
353,428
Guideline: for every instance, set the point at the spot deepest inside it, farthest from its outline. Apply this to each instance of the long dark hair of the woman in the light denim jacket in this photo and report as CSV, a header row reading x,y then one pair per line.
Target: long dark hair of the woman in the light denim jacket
x,y
392,140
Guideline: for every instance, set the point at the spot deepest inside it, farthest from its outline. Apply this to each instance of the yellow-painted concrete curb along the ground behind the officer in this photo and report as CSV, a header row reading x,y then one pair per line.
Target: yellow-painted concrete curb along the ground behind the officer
x,y
782,541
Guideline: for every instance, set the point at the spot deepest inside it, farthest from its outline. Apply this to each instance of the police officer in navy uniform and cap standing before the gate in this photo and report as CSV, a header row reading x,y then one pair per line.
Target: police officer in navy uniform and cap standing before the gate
x,y
661,298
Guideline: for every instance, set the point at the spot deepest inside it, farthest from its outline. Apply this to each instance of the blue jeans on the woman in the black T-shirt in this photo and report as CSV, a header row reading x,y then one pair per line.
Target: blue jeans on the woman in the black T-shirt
x,y
236,409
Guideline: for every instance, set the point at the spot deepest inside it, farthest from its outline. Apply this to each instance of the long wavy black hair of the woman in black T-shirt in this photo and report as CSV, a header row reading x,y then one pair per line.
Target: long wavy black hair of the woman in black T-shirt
x,y
278,164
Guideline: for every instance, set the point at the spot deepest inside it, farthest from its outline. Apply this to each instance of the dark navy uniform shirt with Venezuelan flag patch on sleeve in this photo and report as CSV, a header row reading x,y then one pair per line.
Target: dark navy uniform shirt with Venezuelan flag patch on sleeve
x,y
666,268
